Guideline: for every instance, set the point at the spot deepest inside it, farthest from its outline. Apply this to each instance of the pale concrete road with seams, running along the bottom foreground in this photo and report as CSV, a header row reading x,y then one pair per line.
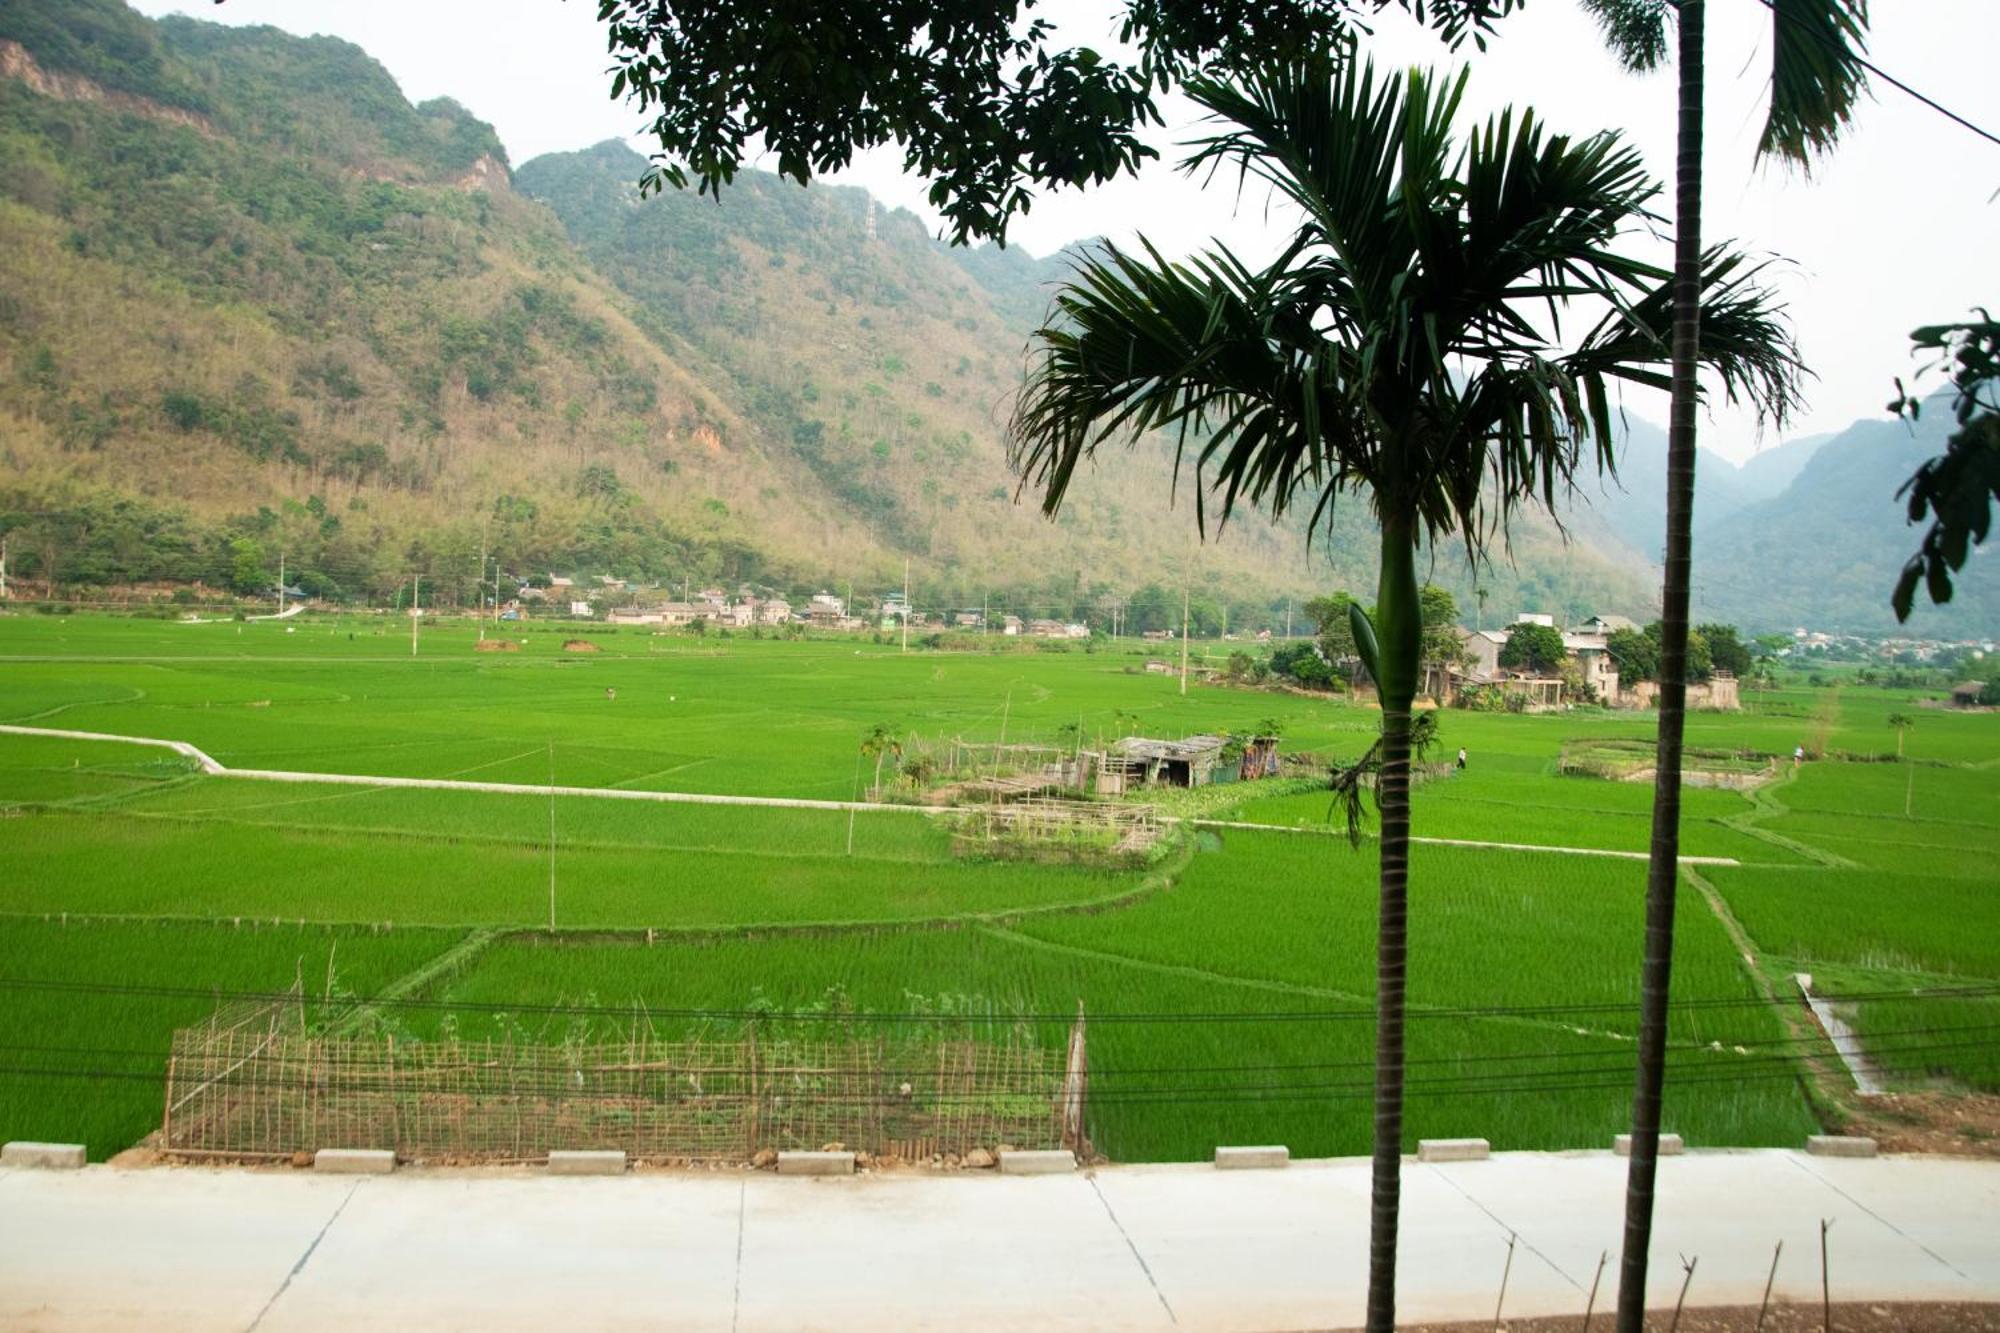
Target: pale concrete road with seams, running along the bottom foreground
x,y
1123,1248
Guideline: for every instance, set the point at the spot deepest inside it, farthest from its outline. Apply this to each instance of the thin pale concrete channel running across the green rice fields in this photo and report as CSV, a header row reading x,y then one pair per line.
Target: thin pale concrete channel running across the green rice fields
x,y
213,768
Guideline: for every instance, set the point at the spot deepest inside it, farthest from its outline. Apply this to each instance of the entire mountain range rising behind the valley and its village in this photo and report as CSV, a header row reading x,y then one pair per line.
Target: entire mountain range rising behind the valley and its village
x,y
255,301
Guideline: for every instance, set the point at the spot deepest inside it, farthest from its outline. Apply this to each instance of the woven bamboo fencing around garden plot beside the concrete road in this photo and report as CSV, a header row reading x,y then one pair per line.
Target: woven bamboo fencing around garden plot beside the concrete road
x,y
255,1082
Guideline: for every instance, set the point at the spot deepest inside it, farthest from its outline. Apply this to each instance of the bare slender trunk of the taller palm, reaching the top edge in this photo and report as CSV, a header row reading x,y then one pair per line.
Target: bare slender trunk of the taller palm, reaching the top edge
x,y
1663,868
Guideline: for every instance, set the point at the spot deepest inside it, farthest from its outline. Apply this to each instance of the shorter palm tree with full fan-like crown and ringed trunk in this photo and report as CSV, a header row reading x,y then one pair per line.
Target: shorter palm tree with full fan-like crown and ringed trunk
x,y
1407,345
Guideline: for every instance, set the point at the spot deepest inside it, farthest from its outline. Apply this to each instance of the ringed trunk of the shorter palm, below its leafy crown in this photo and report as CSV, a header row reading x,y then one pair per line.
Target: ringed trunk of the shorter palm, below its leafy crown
x,y
1399,635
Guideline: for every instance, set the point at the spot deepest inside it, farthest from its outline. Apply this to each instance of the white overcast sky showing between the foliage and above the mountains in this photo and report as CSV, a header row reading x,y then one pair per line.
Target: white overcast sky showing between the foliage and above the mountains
x,y
1897,229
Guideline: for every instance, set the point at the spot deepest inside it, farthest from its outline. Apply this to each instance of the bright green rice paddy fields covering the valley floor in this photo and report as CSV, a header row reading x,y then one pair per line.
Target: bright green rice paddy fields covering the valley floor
x,y
1229,984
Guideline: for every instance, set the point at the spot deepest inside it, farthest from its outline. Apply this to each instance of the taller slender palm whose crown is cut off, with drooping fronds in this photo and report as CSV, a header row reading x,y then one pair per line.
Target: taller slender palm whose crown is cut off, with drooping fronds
x,y
1817,79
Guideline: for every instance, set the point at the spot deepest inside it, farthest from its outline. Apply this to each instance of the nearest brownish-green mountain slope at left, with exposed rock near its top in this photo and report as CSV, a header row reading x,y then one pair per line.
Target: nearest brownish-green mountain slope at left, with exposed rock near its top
x,y
253,301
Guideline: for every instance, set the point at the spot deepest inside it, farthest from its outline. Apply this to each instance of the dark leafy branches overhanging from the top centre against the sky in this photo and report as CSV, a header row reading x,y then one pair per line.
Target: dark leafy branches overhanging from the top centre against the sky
x,y
985,99
